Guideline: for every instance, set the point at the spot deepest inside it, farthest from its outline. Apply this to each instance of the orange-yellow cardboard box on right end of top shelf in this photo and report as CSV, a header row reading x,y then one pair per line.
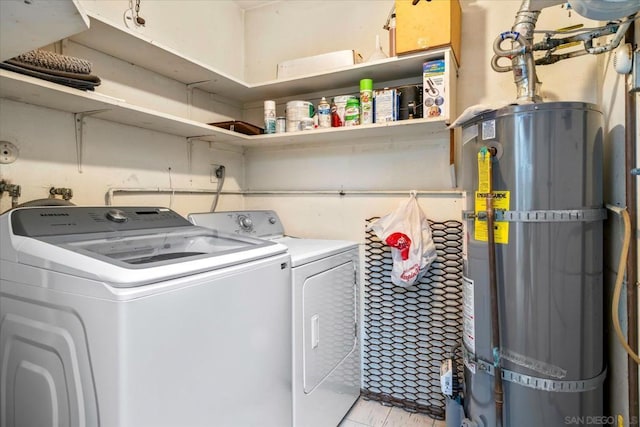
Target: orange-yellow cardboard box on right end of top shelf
x,y
428,25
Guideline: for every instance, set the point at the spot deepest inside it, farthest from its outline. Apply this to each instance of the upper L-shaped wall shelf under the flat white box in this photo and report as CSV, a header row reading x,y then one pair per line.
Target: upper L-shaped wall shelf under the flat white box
x,y
149,54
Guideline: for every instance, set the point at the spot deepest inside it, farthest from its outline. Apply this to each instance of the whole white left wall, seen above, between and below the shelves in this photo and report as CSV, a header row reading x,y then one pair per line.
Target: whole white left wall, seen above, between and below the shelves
x,y
124,156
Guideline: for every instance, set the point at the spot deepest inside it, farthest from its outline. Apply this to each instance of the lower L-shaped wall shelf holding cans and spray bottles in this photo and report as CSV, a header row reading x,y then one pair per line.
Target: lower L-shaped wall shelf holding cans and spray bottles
x,y
30,90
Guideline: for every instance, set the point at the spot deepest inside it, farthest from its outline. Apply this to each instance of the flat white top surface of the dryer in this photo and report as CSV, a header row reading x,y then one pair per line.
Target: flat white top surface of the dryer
x,y
304,251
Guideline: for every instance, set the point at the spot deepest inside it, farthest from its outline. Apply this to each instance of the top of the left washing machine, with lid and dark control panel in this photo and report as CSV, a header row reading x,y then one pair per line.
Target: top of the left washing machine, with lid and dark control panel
x,y
124,247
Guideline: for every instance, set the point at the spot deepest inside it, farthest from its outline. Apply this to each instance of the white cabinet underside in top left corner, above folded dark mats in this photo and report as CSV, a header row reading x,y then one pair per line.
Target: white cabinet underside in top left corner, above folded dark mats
x,y
28,25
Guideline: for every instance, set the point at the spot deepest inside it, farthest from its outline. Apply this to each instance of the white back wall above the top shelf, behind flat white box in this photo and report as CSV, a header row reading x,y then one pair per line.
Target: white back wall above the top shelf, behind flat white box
x,y
293,29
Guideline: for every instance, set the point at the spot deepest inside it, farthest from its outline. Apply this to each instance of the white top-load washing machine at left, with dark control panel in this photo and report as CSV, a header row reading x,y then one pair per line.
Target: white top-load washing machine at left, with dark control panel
x,y
134,317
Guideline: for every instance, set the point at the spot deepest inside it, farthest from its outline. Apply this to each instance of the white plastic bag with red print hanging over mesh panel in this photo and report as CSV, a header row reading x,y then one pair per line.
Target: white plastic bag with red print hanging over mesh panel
x,y
407,231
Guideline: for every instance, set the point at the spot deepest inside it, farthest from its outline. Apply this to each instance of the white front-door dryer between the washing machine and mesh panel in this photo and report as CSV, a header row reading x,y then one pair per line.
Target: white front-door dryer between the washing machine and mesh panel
x,y
325,294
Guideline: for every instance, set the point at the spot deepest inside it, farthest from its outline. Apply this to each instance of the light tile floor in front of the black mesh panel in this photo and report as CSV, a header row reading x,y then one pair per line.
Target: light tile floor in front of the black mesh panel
x,y
366,413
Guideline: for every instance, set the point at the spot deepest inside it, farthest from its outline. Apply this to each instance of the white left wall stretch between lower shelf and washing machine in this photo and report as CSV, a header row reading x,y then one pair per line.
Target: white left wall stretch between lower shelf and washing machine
x,y
114,156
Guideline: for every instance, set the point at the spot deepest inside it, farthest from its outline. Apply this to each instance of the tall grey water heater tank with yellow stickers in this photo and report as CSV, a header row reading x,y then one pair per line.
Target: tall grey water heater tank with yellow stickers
x,y
545,165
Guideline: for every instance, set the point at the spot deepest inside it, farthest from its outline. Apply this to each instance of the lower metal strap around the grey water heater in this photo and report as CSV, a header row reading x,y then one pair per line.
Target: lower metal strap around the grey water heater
x,y
537,383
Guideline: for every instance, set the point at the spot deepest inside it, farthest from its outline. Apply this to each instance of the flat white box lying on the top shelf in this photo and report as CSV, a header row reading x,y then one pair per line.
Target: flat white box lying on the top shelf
x,y
318,63
